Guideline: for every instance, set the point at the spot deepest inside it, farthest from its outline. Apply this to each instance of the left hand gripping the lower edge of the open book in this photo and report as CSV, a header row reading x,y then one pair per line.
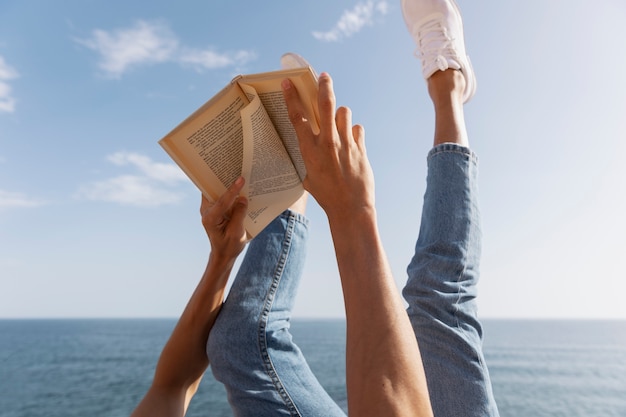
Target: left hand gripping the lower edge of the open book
x,y
223,222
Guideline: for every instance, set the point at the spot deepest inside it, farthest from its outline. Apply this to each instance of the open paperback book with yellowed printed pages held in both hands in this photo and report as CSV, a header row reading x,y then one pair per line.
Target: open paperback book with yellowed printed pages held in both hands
x,y
245,130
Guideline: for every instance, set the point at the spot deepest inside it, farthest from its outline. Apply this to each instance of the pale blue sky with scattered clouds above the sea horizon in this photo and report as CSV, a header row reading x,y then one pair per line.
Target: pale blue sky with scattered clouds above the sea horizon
x,y
96,221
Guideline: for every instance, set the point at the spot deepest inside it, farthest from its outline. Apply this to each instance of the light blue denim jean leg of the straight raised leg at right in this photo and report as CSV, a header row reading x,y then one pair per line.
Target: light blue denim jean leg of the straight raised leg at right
x,y
441,287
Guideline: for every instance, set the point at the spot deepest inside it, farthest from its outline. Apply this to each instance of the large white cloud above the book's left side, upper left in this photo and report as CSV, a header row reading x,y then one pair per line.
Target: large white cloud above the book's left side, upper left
x,y
149,43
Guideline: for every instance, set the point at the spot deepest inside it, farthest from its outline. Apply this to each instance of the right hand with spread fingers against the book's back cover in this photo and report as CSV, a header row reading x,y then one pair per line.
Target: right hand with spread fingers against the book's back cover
x,y
339,174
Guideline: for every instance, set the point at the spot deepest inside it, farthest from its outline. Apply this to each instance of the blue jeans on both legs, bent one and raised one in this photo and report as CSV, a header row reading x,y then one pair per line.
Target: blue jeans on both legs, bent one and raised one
x,y
264,372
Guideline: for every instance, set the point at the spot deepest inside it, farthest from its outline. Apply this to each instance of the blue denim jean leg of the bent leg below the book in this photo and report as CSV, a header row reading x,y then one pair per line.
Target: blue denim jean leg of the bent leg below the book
x,y
250,348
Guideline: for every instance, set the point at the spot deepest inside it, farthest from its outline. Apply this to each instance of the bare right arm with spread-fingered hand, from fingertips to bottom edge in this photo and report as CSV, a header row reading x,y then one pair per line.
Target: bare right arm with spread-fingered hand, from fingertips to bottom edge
x,y
385,375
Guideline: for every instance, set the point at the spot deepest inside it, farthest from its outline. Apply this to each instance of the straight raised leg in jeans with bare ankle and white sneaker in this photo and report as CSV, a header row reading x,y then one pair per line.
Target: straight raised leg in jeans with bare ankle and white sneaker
x,y
443,274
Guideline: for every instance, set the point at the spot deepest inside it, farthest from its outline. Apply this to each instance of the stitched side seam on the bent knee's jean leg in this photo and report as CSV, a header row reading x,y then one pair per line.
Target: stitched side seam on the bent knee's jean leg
x,y
267,307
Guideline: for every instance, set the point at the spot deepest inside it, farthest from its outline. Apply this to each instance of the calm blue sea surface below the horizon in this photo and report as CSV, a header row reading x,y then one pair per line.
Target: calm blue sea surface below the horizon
x,y
102,368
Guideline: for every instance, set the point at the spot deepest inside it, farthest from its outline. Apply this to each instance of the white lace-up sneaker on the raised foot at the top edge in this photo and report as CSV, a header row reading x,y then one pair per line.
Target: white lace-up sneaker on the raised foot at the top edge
x,y
437,29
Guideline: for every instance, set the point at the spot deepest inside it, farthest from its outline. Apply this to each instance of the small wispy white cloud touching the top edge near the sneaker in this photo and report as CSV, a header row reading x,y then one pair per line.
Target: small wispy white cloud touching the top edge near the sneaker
x,y
353,21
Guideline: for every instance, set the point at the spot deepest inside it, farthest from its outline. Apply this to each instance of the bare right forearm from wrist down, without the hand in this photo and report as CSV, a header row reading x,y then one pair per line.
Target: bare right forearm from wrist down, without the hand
x,y
384,369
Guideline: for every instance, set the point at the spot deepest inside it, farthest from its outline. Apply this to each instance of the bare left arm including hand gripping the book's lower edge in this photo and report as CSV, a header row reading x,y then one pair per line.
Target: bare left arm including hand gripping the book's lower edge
x,y
183,360
